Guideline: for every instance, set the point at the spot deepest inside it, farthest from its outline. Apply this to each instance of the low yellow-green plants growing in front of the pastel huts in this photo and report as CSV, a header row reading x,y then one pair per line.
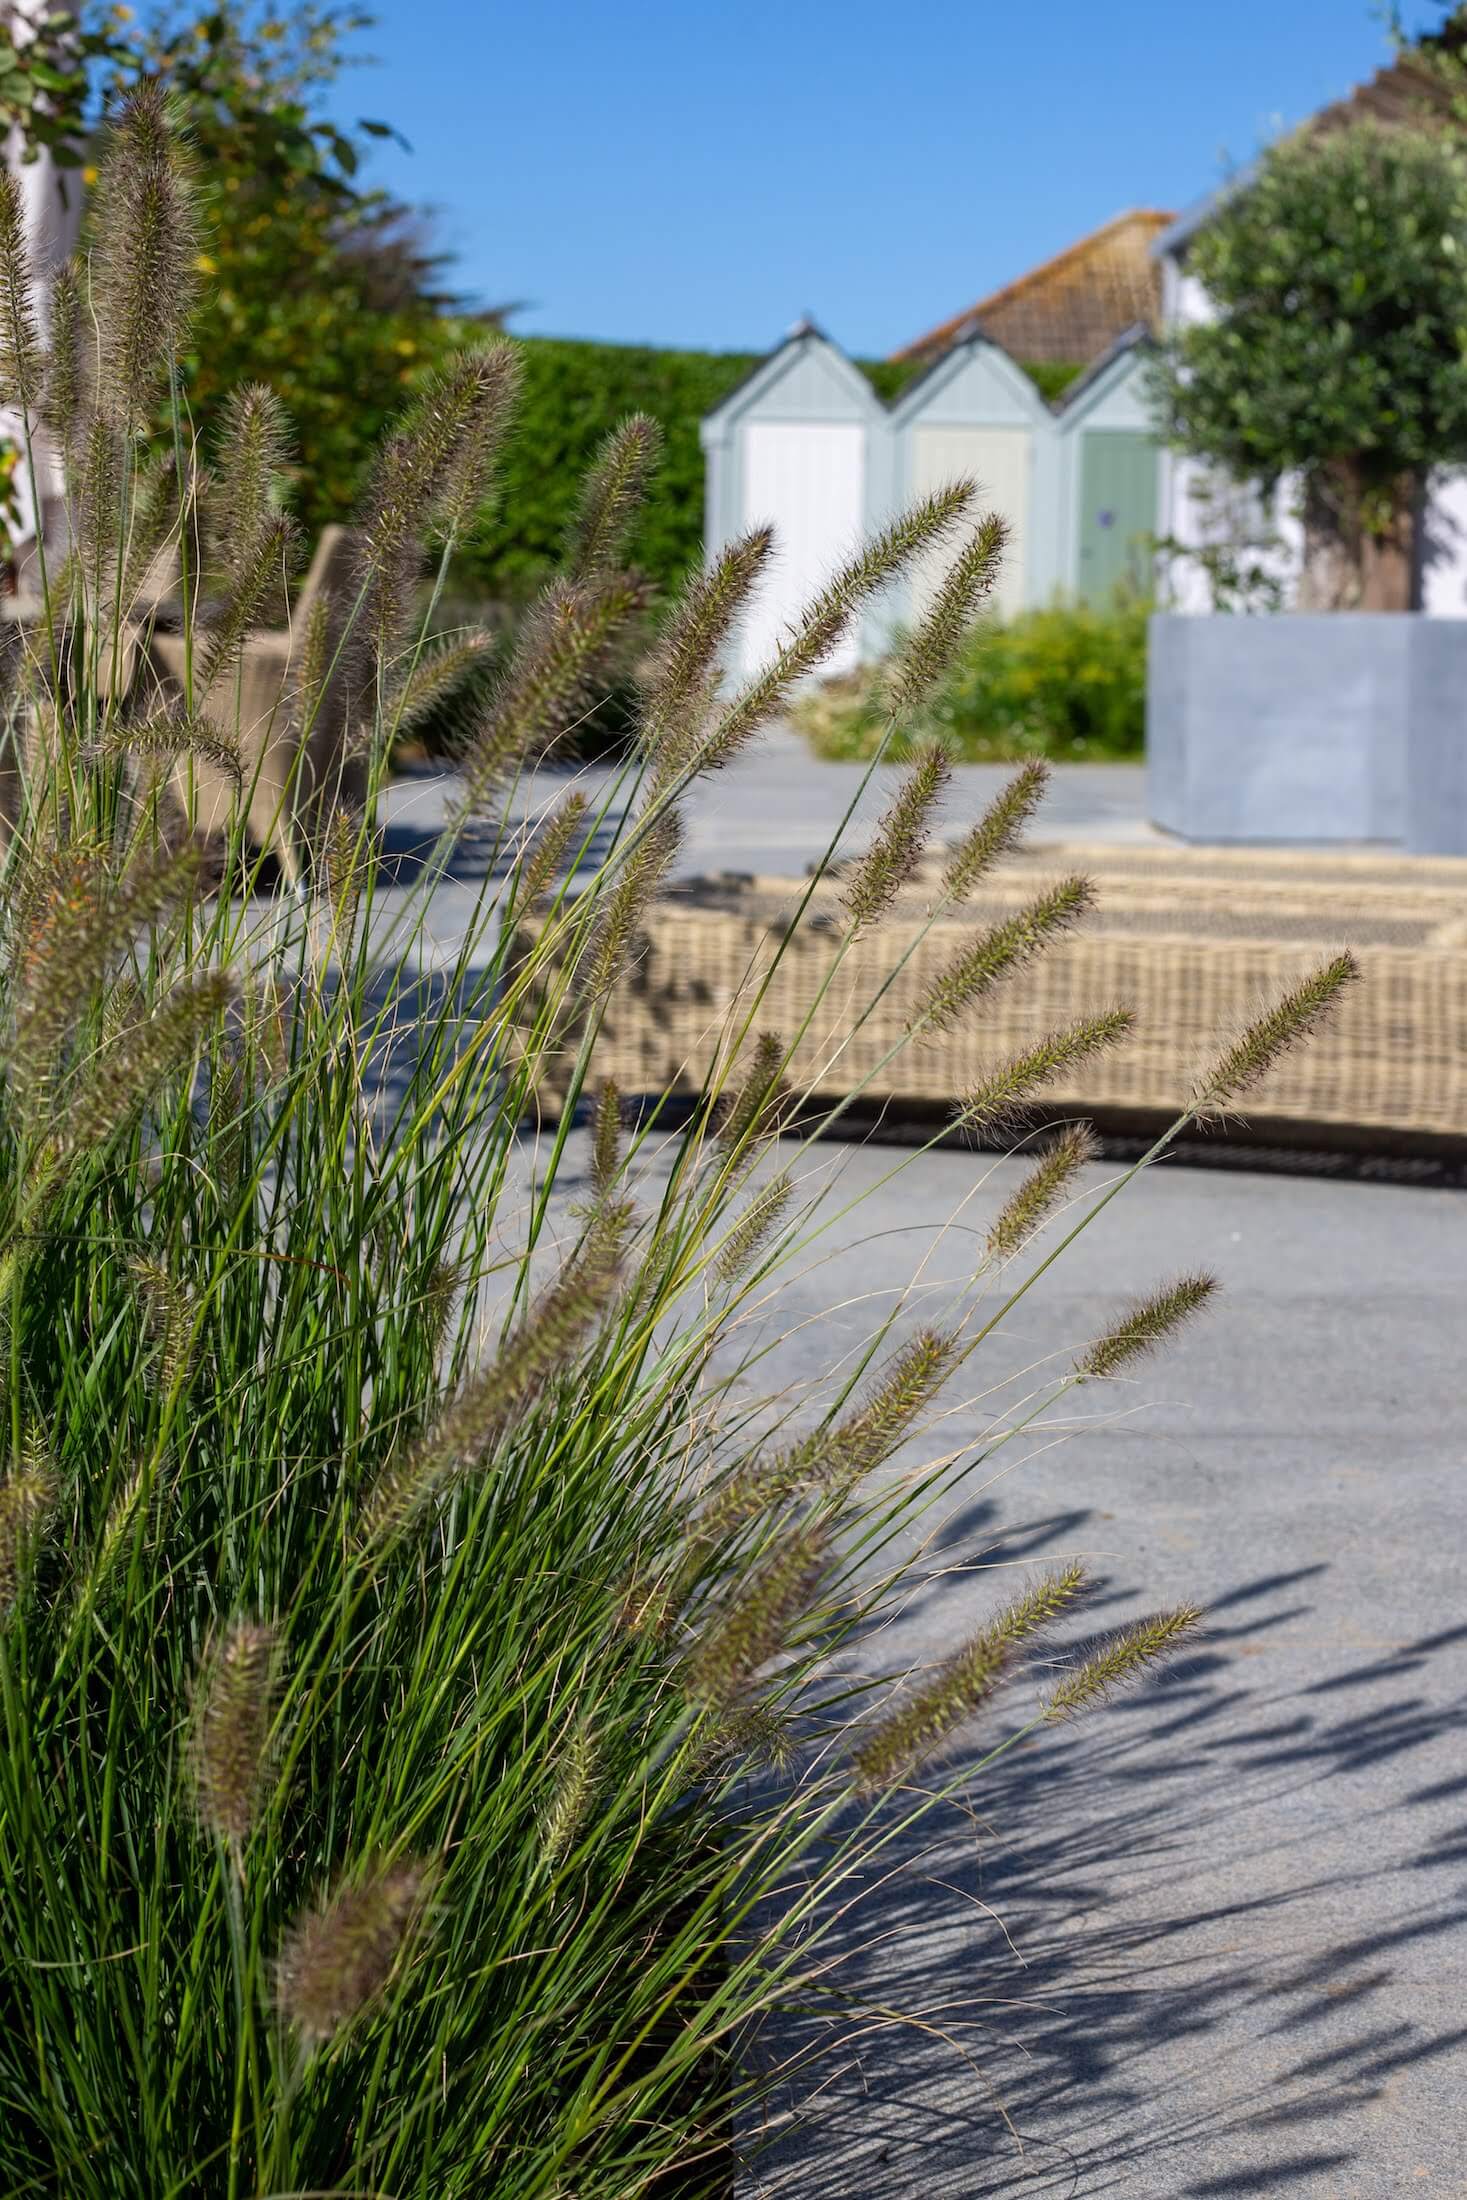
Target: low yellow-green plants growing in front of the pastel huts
x,y
1066,683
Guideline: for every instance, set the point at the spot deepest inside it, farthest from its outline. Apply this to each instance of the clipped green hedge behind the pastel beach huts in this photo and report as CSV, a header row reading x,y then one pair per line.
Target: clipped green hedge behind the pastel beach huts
x,y
573,395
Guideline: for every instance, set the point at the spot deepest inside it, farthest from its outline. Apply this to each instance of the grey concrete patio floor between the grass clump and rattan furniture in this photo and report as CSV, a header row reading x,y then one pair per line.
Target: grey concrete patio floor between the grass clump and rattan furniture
x,y
1215,1939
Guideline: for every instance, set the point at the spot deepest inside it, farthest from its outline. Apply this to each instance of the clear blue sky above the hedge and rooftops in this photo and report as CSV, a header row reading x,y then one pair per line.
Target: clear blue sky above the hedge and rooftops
x,y
703,173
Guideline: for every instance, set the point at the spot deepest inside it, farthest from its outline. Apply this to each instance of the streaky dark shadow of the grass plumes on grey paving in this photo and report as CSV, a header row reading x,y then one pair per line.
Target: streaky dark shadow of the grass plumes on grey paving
x,y
1132,1961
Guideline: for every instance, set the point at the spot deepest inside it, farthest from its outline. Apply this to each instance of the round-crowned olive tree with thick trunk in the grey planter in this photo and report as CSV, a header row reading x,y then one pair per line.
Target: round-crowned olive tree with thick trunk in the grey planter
x,y
1338,353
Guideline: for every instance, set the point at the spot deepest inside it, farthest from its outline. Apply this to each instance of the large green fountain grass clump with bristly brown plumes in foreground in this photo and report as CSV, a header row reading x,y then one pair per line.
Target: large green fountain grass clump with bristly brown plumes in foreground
x,y
399,1576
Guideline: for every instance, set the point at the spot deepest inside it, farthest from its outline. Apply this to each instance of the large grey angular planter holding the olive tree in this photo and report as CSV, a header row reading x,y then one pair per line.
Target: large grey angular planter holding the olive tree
x,y
1310,727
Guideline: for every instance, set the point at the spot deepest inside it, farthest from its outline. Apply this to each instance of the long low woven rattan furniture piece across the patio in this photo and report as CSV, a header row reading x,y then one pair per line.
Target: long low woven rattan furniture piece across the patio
x,y
1193,940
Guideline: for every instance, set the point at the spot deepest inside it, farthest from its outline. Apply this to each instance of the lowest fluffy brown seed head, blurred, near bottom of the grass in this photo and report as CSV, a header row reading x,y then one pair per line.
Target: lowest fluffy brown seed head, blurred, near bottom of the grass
x,y
340,1961
